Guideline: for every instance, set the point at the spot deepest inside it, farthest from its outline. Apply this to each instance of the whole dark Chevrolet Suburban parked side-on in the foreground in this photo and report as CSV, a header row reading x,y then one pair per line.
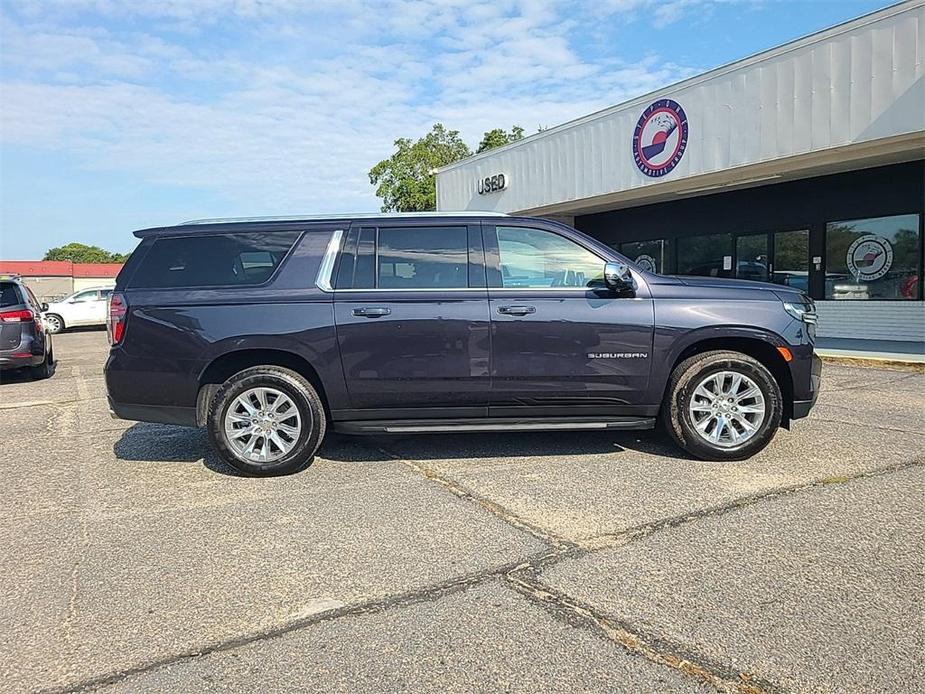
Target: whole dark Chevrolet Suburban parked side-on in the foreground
x,y
267,331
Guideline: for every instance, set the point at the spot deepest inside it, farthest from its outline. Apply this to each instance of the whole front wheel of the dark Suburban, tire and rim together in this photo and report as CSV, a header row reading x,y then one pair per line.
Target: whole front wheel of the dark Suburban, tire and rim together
x,y
722,406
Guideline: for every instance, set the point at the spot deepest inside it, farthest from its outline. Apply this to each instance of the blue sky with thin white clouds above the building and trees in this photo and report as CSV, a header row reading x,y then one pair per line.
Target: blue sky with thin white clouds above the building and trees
x,y
122,114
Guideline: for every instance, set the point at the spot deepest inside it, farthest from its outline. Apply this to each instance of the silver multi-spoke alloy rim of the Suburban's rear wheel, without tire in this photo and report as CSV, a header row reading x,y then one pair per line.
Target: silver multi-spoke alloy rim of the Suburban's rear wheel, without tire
x,y
262,425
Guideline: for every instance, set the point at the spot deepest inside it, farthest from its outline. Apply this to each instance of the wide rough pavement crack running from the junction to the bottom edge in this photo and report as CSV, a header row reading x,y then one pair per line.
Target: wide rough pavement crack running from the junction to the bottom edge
x,y
657,650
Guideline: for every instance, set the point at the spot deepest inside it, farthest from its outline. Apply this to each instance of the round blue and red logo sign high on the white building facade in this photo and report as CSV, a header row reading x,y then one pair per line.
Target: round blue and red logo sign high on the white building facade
x,y
660,138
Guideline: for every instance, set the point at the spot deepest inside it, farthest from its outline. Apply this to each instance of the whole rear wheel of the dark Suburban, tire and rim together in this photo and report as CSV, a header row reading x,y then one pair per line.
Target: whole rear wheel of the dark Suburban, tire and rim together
x,y
266,420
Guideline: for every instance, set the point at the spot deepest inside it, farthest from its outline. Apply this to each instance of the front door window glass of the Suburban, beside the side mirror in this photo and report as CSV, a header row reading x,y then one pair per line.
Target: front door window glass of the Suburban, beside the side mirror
x,y
538,259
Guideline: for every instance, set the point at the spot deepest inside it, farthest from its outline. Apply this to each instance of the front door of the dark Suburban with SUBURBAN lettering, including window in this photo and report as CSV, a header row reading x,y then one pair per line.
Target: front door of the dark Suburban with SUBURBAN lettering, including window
x,y
562,344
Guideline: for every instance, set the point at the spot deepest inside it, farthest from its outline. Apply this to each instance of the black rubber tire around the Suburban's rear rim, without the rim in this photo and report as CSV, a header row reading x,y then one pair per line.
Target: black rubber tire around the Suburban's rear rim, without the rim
x,y
303,396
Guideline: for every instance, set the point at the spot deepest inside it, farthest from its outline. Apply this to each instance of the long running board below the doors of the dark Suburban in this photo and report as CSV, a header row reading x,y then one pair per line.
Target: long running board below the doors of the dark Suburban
x,y
458,426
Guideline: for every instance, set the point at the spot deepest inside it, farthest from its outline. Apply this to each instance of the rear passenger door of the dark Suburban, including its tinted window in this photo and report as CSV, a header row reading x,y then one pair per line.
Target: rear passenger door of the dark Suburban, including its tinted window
x,y
411,311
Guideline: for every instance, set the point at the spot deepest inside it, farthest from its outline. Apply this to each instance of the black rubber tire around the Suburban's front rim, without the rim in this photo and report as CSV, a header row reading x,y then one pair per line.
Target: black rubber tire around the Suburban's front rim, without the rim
x,y
677,419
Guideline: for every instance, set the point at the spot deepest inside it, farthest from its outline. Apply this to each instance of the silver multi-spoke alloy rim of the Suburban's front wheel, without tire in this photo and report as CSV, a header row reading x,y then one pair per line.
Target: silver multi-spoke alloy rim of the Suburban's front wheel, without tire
x,y
727,409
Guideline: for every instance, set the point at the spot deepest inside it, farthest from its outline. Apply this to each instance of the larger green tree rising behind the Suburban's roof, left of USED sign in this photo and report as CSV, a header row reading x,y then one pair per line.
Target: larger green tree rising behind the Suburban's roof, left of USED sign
x,y
405,181
